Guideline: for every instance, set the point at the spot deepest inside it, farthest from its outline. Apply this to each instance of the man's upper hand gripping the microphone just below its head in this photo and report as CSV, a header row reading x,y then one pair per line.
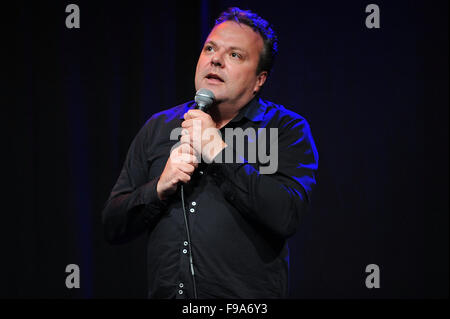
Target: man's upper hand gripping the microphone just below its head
x,y
200,130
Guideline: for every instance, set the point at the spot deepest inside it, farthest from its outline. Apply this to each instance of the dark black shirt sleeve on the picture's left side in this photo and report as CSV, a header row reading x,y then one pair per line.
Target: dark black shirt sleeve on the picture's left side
x,y
133,205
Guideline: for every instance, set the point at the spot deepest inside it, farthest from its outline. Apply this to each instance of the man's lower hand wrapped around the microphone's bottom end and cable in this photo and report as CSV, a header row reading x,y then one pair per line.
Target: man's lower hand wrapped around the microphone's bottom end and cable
x,y
180,166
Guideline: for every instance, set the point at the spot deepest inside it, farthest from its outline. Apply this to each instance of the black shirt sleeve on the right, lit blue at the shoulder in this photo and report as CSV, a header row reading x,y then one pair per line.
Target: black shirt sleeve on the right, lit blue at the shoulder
x,y
277,200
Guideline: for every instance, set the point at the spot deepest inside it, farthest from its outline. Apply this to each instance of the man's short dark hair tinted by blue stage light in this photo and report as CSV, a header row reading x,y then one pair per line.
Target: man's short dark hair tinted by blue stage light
x,y
258,24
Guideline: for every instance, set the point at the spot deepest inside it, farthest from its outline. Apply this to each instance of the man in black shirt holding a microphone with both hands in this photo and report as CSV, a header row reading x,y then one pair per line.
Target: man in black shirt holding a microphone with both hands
x,y
239,219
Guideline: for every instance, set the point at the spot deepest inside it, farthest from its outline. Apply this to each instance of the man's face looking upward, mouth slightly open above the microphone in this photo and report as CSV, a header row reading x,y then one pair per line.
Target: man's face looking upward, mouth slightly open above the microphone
x,y
228,62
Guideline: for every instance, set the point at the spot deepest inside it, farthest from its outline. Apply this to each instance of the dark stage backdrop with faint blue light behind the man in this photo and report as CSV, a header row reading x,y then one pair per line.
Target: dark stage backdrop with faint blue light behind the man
x,y
376,100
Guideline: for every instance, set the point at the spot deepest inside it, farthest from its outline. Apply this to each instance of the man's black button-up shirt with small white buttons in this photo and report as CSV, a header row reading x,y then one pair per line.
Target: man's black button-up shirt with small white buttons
x,y
239,219
